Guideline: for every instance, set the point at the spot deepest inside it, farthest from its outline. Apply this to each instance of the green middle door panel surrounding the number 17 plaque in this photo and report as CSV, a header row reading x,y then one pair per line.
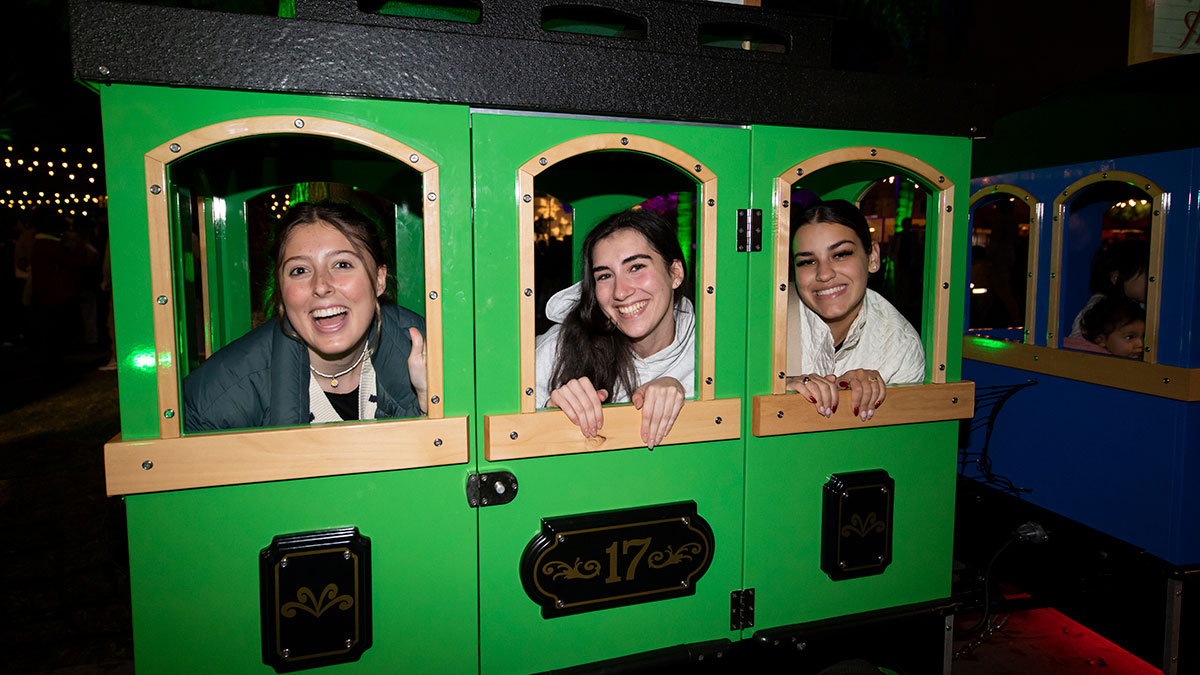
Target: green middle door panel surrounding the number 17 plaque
x,y
514,636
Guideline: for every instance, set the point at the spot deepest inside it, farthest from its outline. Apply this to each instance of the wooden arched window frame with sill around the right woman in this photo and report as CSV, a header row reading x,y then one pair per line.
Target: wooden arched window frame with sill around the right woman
x,y
778,414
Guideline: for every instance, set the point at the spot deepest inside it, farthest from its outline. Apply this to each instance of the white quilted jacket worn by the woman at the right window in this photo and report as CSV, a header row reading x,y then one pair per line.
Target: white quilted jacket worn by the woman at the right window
x,y
880,339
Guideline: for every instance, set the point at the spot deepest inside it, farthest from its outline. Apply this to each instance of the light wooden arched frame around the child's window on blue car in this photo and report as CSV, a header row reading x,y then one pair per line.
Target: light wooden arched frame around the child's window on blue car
x,y
1155,274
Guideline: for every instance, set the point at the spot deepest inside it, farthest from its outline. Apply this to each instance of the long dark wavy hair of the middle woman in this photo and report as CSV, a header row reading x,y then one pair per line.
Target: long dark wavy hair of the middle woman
x,y
590,345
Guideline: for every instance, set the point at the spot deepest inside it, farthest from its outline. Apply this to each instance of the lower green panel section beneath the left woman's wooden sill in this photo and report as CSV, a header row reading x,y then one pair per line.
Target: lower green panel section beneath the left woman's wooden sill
x,y
194,569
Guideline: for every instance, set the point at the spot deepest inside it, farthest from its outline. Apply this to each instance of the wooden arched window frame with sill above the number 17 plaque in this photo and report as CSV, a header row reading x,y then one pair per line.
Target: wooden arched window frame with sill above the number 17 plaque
x,y
706,419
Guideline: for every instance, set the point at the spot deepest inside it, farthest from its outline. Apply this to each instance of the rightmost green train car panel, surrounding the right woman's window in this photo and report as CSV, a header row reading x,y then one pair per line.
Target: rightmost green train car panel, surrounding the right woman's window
x,y
785,474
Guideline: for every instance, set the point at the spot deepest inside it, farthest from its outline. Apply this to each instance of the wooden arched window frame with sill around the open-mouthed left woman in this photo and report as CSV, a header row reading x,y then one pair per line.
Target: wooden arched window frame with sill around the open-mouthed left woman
x,y
173,462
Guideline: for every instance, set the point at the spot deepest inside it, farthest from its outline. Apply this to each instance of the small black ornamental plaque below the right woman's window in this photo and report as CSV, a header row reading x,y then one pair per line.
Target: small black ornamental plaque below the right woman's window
x,y
856,525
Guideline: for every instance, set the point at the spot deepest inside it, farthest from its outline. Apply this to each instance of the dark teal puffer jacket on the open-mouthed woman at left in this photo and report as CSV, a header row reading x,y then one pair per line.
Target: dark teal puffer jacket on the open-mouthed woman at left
x,y
262,379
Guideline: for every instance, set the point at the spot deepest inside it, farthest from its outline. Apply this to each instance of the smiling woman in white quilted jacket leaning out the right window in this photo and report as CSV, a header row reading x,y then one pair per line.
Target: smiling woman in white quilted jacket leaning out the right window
x,y
841,334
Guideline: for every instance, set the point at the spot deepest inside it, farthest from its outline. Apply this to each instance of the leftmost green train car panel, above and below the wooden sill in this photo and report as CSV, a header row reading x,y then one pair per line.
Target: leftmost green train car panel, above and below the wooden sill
x,y
194,553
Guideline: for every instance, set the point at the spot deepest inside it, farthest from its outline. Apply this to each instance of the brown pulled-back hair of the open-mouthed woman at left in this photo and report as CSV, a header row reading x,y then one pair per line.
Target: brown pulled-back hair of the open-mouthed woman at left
x,y
363,234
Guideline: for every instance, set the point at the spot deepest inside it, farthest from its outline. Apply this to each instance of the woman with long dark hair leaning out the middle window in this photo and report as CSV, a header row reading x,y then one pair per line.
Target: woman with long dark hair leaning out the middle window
x,y
625,333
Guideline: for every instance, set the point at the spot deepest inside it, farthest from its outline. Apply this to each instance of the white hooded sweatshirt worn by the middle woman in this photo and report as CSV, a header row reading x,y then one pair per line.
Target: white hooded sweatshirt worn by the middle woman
x,y
677,361
